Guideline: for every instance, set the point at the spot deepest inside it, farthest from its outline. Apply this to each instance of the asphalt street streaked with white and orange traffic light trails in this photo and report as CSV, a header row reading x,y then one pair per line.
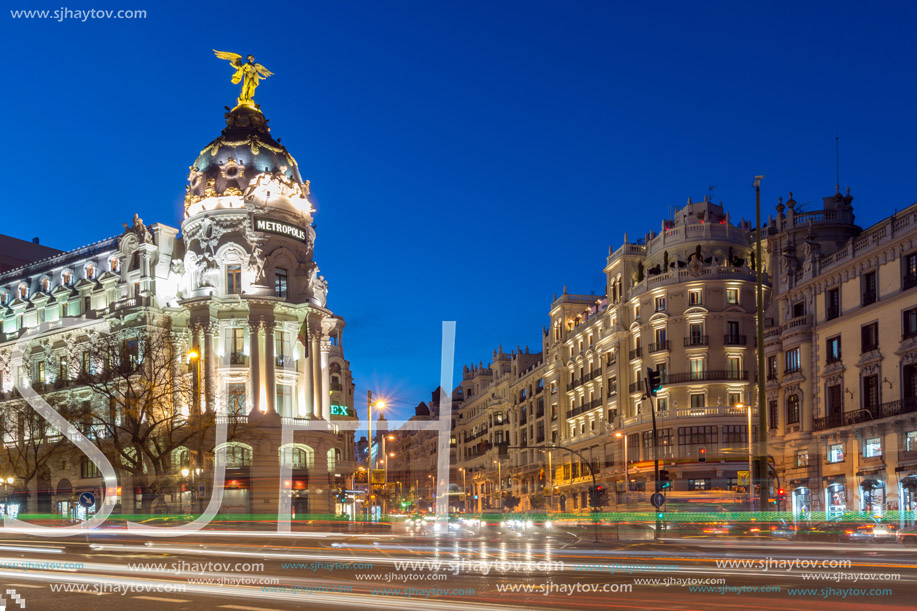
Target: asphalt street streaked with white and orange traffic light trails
x,y
477,569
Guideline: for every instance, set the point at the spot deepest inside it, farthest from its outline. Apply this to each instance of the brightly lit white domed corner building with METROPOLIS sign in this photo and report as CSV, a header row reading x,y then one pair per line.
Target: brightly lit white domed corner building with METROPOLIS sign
x,y
238,287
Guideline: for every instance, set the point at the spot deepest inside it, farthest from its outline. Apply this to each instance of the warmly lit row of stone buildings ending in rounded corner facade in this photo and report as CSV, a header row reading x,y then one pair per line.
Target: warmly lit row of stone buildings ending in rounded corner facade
x,y
681,301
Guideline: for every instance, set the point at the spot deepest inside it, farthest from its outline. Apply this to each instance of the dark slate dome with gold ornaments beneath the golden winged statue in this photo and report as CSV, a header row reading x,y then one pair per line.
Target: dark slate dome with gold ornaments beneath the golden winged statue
x,y
244,149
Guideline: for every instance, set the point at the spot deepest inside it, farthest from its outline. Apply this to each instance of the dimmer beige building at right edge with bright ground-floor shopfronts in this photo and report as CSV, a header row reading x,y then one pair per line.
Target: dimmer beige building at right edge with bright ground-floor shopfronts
x,y
841,354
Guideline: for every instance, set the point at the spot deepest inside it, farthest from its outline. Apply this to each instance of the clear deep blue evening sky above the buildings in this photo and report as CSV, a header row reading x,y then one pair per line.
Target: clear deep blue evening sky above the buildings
x,y
467,159
